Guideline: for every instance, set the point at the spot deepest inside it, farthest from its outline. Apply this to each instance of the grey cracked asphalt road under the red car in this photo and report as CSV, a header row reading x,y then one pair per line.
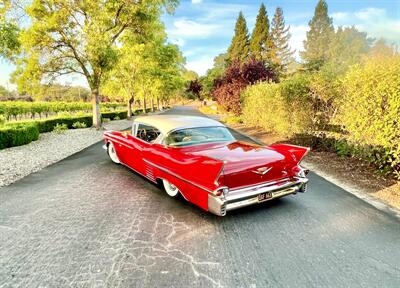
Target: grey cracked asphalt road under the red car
x,y
86,222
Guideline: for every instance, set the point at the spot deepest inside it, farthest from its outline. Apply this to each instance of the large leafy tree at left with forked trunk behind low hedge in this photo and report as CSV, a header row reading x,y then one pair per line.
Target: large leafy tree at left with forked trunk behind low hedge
x,y
69,37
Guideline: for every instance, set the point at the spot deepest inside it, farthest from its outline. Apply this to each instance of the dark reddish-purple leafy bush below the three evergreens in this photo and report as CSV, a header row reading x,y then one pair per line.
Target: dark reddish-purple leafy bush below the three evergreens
x,y
237,77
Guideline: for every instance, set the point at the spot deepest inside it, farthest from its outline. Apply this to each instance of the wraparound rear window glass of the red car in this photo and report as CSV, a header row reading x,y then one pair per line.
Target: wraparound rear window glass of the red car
x,y
196,136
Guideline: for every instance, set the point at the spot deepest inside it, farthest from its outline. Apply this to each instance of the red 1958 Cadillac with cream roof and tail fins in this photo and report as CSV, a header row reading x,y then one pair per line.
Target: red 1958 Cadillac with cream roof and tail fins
x,y
199,158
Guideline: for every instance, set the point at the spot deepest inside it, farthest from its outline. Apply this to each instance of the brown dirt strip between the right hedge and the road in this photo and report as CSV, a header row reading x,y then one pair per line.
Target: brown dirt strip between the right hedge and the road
x,y
351,172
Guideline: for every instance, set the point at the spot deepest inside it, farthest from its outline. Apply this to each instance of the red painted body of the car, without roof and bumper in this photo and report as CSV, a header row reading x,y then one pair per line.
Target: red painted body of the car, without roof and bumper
x,y
201,169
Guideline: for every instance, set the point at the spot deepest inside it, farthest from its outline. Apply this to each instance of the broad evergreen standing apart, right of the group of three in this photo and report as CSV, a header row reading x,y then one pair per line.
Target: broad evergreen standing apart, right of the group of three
x,y
318,37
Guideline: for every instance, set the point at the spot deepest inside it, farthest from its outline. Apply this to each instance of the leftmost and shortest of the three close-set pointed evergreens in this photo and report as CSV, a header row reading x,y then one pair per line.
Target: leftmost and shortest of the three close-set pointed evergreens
x,y
239,49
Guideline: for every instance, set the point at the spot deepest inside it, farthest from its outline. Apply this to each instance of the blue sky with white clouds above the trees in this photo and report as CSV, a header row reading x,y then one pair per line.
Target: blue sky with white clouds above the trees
x,y
204,28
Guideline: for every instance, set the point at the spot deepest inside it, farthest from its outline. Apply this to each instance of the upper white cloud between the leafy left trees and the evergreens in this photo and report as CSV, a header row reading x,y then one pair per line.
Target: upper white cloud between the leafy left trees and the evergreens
x,y
184,28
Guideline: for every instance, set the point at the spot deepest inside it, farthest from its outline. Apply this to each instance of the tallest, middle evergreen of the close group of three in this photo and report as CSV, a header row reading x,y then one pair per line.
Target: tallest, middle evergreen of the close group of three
x,y
260,38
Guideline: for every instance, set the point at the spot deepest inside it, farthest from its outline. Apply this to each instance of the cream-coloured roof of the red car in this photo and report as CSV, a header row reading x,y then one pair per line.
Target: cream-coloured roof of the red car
x,y
167,123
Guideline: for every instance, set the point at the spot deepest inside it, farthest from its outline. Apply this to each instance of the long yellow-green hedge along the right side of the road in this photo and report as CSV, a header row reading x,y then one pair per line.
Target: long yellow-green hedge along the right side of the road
x,y
363,106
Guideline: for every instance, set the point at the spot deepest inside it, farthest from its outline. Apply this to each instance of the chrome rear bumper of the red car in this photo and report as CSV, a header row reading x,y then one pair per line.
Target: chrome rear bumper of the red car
x,y
242,197
